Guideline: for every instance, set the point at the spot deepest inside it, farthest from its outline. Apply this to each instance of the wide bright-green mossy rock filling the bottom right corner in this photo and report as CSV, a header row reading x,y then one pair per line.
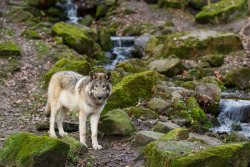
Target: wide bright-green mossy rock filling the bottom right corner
x,y
226,155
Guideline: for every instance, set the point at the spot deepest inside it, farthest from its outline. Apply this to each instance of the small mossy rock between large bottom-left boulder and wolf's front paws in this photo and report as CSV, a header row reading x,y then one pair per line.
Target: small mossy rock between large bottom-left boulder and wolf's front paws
x,y
75,145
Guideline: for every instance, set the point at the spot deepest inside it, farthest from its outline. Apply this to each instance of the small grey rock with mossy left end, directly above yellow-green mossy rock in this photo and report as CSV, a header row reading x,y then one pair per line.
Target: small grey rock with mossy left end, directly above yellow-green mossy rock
x,y
165,127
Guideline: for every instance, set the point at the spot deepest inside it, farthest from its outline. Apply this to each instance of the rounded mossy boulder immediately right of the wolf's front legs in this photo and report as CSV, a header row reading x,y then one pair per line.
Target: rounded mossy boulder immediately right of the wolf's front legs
x,y
116,122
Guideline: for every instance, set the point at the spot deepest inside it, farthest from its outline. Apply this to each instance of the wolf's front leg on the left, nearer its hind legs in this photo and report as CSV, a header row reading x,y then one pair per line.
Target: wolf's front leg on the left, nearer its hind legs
x,y
82,126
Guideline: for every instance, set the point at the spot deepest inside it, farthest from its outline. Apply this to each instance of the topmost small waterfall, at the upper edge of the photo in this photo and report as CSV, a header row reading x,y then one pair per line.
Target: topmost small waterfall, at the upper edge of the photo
x,y
71,10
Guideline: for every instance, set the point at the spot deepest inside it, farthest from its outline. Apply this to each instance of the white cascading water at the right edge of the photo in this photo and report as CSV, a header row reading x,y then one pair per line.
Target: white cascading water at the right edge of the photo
x,y
234,112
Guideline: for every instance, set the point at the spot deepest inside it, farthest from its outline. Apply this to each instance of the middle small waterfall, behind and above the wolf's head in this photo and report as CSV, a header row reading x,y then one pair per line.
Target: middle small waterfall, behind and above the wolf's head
x,y
122,49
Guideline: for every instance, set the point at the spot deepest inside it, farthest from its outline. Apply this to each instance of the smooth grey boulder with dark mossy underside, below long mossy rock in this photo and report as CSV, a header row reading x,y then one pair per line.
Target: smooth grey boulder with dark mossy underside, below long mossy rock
x,y
170,66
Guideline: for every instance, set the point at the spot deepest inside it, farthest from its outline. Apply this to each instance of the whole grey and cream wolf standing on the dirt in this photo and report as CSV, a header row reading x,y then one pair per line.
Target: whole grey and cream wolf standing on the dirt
x,y
87,94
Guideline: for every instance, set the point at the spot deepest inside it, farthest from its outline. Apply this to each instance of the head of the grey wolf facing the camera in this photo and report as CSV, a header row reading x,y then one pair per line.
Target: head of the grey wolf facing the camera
x,y
100,87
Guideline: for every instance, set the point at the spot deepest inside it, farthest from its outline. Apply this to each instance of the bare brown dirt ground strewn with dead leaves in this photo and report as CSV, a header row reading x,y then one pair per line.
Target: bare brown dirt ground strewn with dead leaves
x,y
22,99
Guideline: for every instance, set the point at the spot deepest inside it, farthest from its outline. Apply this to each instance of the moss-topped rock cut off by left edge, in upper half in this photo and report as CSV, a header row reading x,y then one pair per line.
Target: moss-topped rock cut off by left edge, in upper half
x,y
9,49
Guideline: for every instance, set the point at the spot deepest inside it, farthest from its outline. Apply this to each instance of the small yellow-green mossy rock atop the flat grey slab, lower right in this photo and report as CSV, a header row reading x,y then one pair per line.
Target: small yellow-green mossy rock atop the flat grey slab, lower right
x,y
176,134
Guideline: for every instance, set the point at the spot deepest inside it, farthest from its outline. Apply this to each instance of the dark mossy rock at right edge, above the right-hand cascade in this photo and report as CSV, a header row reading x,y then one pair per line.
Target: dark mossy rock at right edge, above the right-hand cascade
x,y
238,77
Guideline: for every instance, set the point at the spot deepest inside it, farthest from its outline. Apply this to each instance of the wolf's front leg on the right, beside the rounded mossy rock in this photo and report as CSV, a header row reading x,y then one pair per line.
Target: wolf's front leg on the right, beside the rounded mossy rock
x,y
94,119
